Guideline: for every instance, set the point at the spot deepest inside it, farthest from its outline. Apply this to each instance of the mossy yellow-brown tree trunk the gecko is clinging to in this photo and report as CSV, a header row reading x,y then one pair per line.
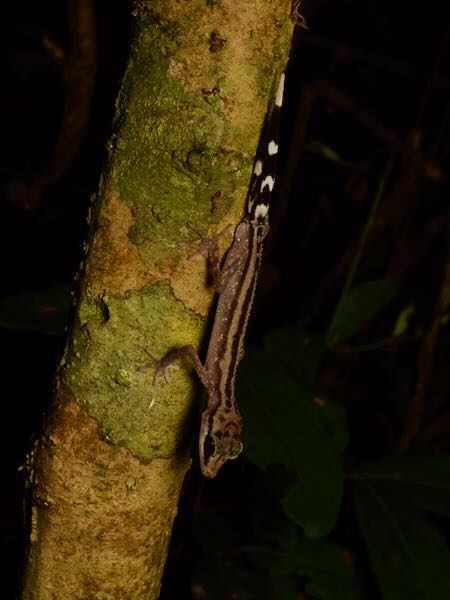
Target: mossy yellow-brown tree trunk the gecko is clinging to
x,y
109,464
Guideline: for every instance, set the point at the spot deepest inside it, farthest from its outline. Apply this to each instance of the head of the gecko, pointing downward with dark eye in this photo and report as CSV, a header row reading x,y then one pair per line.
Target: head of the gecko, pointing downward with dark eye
x,y
220,439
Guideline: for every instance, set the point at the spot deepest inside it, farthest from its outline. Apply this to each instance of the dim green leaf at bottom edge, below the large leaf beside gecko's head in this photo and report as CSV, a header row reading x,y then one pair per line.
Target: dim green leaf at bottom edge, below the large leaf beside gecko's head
x,y
327,566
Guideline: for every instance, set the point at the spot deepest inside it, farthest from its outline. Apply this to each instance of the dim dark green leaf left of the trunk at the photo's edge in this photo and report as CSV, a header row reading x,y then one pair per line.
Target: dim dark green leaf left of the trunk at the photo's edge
x,y
44,310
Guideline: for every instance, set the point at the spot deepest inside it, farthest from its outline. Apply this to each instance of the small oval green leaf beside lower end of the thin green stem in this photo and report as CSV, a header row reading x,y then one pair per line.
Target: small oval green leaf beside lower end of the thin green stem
x,y
360,305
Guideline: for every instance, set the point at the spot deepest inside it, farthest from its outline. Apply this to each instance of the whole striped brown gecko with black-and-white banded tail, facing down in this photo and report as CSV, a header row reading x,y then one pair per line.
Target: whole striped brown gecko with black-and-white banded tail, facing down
x,y
235,282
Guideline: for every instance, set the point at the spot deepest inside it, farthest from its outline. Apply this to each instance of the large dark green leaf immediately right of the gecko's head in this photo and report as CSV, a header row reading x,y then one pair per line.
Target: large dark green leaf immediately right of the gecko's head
x,y
283,425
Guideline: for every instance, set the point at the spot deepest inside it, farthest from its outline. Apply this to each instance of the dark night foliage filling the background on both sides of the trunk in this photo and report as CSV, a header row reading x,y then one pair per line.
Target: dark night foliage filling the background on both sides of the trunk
x,y
344,488
